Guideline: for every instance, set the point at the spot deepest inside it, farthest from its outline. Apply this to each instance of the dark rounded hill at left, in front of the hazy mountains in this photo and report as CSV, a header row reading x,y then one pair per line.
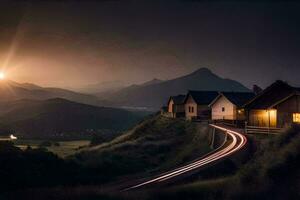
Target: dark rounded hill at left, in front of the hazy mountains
x,y
56,117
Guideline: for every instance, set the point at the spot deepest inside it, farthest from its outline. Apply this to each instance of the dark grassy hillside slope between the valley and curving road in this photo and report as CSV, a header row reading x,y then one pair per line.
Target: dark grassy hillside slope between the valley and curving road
x,y
158,143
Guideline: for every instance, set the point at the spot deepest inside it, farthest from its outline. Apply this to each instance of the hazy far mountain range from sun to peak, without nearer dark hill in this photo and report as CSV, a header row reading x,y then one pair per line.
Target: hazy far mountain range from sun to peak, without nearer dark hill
x,y
150,95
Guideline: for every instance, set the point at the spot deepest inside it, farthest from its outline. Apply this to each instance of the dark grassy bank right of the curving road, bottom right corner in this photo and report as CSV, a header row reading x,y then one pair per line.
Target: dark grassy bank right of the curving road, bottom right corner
x,y
272,173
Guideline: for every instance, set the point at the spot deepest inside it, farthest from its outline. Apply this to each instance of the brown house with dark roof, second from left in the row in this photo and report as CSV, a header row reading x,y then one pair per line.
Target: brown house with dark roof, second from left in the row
x,y
196,104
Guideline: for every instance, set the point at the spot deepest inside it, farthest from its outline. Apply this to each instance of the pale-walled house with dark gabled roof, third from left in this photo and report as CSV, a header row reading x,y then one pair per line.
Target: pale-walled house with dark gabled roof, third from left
x,y
228,106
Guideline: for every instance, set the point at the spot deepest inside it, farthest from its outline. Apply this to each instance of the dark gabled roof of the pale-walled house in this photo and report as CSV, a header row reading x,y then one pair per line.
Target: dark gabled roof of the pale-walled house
x,y
236,98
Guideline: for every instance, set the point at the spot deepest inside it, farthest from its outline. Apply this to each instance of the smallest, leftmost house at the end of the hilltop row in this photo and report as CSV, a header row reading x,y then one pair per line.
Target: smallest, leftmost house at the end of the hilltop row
x,y
176,106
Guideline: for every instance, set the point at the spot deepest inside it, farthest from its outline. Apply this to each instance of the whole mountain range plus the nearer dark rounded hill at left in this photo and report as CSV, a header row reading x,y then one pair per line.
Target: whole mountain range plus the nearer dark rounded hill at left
x,y
36,111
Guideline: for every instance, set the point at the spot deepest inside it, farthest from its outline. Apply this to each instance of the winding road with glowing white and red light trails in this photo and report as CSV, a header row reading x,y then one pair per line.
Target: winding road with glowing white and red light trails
x,y
238,141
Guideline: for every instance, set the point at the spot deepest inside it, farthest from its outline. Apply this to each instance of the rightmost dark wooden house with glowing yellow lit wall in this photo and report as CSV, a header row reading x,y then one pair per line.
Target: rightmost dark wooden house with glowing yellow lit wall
x,y
277,106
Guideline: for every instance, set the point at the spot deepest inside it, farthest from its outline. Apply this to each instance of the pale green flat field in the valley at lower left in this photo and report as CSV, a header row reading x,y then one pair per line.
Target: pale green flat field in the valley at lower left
x,y
64,149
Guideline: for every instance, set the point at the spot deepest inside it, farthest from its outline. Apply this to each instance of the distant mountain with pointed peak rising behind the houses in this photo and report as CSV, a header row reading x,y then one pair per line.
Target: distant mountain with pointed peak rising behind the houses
x,y
153,96
